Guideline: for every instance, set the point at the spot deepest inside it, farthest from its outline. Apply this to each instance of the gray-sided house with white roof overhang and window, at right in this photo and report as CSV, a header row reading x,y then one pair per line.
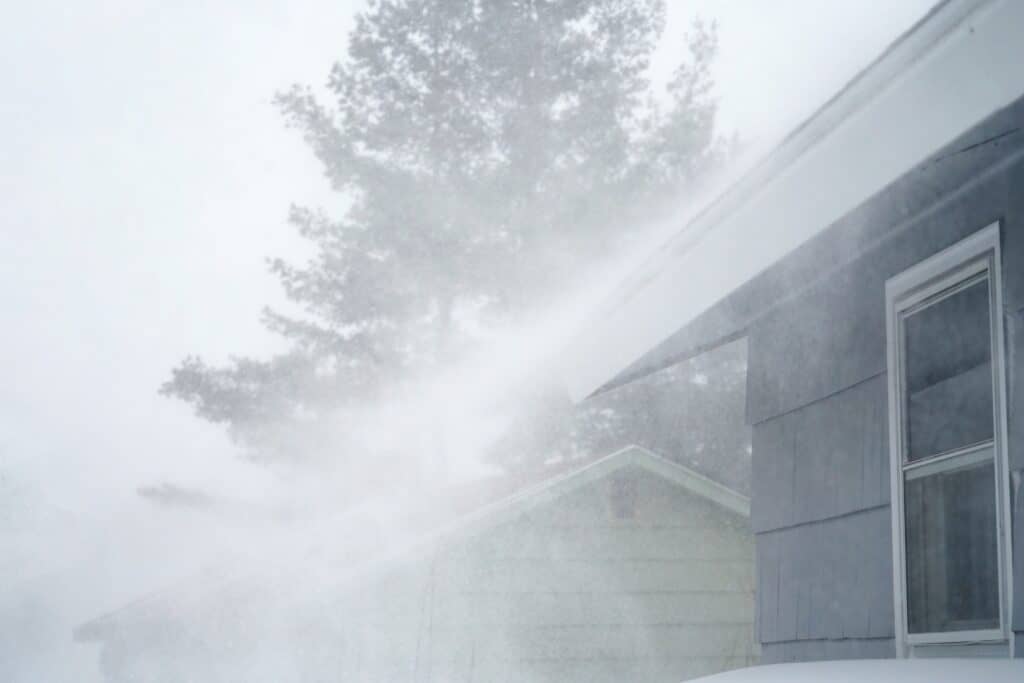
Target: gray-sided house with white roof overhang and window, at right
x,y
875,265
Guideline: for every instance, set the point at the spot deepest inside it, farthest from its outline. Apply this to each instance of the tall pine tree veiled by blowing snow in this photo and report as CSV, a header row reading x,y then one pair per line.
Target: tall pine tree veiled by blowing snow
x,y
488,149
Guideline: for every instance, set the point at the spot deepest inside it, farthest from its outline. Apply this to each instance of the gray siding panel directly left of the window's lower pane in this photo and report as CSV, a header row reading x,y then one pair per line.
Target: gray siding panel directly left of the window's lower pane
x,y
828,580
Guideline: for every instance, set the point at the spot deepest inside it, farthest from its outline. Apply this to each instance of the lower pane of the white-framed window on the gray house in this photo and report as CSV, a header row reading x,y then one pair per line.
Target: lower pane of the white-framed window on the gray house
x,y
952,556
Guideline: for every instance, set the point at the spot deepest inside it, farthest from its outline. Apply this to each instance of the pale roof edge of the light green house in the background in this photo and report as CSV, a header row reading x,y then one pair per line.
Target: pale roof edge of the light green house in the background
x,y
470,526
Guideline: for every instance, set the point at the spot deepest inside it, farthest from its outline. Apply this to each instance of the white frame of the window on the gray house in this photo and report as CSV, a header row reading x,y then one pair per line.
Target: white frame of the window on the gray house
x,y
967,260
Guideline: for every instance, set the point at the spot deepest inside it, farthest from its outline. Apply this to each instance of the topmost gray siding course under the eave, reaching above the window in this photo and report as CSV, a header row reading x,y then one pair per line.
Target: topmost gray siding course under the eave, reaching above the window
x,y
833,335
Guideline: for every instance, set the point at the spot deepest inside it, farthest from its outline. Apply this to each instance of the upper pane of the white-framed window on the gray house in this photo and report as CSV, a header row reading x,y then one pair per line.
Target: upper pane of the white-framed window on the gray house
x,y
949,373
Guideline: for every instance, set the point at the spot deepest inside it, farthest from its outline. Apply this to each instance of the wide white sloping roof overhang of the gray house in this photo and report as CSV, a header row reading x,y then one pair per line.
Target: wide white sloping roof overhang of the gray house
x,y
957,67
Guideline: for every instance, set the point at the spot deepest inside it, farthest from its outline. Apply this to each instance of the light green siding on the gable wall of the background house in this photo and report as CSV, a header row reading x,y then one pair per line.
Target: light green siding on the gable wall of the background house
x,y
566,592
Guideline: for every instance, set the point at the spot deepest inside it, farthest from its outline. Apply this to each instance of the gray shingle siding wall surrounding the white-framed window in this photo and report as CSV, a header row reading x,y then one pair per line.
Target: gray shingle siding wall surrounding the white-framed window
x,y
818,402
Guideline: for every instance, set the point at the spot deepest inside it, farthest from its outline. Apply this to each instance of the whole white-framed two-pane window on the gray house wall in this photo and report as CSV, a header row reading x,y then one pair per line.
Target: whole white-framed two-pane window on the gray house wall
x,y
948,437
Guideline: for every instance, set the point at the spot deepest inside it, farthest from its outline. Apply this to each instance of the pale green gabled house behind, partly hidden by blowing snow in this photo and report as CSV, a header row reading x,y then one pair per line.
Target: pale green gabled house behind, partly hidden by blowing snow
x,y
630,568
